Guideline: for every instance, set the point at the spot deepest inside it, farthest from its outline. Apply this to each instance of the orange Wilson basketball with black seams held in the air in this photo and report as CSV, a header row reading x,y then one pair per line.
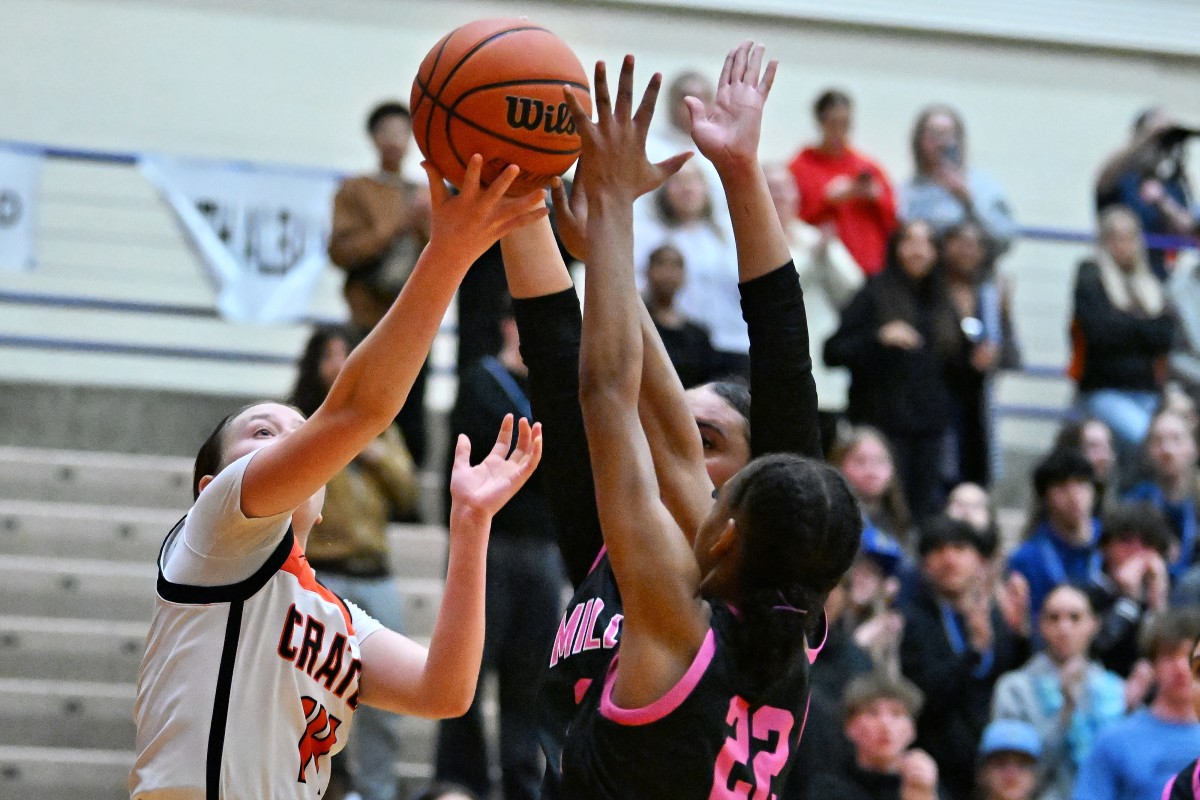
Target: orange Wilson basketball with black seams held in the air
x,y
495,87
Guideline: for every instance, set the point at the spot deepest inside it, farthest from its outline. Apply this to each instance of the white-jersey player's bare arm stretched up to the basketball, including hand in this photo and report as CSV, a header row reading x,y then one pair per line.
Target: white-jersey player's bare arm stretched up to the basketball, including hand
x,y
374,384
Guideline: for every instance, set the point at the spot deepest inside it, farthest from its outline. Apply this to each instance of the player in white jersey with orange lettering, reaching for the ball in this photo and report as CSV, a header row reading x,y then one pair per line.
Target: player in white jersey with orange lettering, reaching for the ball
x,y
253,669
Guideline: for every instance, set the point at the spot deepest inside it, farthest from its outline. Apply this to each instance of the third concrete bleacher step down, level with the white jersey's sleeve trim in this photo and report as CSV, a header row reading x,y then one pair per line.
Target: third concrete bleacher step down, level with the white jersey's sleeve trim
x,y
113,591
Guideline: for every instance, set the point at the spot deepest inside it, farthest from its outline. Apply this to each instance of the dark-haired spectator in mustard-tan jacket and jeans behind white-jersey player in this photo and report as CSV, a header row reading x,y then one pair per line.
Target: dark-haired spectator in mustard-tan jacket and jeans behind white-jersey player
x,y
349,549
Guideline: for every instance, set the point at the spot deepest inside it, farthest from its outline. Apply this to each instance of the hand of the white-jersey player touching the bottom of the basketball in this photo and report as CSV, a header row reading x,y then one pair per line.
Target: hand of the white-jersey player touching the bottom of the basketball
x,y
478,216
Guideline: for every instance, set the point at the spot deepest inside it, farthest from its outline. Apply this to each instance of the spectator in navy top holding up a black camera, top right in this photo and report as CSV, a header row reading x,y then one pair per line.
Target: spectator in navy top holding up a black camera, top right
x,y
1149,176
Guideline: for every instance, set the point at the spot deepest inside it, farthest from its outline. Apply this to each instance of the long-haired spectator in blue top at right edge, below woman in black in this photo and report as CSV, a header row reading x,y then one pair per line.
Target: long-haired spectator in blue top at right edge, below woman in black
x,y
1174,488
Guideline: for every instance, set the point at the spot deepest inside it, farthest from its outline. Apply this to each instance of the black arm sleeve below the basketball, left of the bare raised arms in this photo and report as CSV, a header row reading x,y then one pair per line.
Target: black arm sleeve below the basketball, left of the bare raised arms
x,y
550,328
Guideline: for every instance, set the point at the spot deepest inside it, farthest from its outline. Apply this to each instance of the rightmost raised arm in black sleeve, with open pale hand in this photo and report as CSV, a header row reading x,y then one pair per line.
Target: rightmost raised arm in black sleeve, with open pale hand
x,y
784,396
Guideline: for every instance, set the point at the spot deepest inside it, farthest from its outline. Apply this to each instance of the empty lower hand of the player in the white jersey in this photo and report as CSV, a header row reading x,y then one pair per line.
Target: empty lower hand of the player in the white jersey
x,y
489,485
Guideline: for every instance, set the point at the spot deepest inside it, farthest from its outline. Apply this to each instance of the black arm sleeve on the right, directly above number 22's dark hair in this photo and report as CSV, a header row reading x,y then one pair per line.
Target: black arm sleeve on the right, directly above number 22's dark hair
x,y
783,393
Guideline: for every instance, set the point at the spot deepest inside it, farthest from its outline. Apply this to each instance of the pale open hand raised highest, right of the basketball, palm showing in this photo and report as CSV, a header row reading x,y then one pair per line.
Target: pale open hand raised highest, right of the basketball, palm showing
x,y
729,133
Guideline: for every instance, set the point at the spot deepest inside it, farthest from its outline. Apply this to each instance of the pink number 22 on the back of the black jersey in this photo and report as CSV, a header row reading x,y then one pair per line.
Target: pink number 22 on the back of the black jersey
x,y
752,735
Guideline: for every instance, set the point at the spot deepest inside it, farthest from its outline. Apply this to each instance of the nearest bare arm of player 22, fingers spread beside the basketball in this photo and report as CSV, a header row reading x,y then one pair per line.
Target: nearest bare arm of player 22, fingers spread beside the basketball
x,y
657,573
